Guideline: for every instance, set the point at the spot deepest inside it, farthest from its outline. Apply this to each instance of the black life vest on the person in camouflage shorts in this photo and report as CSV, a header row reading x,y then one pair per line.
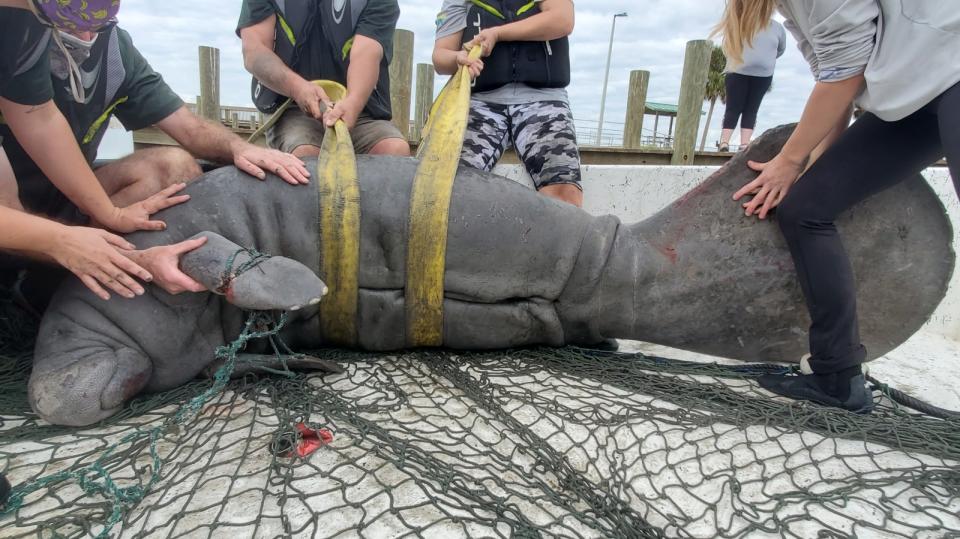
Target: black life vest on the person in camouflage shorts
x,y
540,64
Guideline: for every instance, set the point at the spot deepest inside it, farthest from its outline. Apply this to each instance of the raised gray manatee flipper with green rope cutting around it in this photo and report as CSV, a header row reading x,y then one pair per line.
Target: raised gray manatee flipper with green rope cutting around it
x,y
273,283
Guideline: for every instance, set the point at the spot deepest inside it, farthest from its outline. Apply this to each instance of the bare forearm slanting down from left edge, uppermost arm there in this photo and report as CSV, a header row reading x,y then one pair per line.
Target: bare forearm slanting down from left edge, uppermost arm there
x,y
44,134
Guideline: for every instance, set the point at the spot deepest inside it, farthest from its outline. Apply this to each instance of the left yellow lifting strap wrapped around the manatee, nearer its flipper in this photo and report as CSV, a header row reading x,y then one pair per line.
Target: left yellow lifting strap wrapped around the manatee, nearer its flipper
x,y
339,187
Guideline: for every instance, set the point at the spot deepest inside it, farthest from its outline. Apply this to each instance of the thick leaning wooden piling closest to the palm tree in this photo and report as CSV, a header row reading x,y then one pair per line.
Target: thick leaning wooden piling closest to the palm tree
x,y
692,92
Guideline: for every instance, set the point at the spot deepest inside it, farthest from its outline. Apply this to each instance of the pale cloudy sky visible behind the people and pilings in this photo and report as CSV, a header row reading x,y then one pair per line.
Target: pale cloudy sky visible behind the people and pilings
x,y
652,37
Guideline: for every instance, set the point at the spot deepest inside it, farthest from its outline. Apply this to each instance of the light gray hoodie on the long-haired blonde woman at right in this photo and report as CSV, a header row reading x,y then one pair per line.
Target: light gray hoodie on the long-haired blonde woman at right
x,y
908,50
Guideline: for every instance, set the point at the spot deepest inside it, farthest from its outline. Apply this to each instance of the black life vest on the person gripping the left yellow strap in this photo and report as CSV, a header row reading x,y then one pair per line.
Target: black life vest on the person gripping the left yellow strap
x,y
299,26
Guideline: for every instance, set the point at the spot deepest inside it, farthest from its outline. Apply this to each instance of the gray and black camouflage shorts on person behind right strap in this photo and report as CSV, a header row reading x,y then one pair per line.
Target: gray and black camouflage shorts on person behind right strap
x,y
542,133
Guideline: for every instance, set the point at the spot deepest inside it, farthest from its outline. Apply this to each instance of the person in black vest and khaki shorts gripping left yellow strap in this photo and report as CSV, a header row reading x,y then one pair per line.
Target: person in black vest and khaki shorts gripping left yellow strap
x,y
287,45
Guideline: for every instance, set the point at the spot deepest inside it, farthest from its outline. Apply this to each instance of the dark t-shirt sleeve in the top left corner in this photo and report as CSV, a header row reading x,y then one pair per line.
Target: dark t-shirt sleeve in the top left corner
x,y
24,64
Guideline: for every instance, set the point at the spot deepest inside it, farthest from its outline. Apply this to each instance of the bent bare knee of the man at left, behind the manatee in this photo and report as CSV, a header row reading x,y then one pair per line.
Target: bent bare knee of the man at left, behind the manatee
x,y
145,173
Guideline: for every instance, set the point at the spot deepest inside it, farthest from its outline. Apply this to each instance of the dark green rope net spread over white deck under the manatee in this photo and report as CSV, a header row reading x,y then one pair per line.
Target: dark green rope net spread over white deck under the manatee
x,y
524,443
